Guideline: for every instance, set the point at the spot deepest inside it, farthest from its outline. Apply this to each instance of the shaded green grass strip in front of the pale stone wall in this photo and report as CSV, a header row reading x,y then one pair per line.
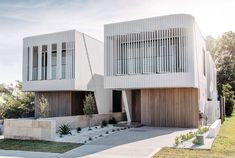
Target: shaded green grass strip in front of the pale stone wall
x,y
36,145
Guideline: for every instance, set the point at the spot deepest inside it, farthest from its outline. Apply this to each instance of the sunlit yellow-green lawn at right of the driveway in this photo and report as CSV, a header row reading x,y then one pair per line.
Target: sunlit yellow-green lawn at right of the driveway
x,y
223,146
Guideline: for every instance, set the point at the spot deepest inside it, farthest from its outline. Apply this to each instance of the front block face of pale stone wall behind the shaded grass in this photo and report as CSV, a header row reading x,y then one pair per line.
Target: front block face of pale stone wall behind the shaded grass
x,y
29,129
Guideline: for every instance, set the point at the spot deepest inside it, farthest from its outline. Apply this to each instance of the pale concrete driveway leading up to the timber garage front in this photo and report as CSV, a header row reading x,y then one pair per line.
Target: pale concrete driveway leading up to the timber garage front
x,y
140,142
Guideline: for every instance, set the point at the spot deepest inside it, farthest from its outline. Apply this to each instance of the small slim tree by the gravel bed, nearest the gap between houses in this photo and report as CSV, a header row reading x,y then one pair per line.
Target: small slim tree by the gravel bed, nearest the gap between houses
x,y
89,107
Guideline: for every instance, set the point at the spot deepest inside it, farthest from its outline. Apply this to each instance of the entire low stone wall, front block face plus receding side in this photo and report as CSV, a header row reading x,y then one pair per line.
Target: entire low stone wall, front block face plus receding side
x,y
45,129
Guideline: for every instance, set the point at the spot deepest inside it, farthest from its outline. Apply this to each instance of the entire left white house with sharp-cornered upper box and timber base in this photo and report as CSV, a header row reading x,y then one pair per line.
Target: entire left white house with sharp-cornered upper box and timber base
x,y
64,67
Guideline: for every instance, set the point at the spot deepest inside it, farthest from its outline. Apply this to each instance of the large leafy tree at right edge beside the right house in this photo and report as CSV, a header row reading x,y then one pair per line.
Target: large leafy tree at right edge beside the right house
x,y
223,52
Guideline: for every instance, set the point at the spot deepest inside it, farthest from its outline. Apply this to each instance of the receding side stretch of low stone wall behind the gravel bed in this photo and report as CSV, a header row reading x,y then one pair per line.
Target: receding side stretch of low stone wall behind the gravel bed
x,y
82,120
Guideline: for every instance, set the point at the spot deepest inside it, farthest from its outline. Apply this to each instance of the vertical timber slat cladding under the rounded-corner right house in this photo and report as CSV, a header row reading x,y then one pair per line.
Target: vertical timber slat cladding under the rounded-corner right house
x,y
170,107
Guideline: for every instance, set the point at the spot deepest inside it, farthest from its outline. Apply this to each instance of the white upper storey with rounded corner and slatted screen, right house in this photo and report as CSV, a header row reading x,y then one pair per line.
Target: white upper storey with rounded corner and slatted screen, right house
x,y
158,52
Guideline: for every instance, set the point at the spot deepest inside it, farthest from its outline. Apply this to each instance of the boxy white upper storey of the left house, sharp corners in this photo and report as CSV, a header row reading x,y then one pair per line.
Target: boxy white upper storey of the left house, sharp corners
x,y
61,61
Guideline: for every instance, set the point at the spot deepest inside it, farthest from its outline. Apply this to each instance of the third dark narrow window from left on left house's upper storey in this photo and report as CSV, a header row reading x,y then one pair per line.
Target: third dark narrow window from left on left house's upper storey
x,y
53,60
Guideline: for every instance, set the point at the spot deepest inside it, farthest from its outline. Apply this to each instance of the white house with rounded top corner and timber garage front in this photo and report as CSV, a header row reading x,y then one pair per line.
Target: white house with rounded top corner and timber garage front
x,y
162,68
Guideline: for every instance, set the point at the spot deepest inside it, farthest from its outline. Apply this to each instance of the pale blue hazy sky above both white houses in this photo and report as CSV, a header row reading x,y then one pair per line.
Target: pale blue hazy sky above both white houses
x,y
22,18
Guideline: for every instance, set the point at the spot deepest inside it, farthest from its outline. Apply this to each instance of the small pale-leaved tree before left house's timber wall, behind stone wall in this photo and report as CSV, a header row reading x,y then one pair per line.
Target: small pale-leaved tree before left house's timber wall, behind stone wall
x,y
43,107
